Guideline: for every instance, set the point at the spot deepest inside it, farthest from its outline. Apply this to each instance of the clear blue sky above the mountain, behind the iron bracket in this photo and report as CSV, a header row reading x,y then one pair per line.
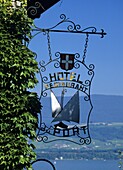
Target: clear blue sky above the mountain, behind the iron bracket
x,y
106,54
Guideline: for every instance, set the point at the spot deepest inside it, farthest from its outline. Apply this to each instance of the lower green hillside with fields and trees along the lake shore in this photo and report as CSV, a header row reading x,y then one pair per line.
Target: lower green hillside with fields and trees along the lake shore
x,y
107,141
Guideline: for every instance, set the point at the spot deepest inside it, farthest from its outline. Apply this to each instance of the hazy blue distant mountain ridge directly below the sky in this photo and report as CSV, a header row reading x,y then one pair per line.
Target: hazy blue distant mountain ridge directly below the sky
x,y
106,108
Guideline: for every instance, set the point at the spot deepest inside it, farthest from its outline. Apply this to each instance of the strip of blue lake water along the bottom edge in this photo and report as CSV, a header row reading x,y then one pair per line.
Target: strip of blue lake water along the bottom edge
x,y
78,165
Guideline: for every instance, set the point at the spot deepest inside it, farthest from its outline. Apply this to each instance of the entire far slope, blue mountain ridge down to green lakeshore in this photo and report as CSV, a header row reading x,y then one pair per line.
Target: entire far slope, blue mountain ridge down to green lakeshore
x,y
107,135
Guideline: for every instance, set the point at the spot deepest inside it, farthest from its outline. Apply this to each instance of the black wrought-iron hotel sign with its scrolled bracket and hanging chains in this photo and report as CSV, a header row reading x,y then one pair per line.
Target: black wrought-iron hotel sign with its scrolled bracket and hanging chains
x,y
65,90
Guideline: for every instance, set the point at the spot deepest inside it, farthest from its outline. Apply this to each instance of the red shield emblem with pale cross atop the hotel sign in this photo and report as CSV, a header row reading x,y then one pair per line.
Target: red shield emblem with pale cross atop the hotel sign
x,y
67,61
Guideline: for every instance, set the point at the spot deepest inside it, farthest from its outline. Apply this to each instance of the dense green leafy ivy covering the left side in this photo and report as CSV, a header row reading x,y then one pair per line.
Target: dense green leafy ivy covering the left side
x,y
19,107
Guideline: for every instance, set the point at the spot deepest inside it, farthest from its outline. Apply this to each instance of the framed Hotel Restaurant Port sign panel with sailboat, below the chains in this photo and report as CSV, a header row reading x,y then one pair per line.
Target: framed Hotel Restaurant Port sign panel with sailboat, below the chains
x,y
65,114
